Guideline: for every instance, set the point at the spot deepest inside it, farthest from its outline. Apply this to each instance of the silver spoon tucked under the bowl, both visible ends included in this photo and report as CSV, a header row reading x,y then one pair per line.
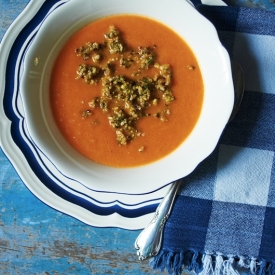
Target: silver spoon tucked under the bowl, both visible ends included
x,y
148,243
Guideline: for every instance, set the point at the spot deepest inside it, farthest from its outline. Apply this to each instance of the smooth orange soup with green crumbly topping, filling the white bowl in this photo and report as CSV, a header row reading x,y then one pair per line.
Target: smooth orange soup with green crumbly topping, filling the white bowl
x,y
150,53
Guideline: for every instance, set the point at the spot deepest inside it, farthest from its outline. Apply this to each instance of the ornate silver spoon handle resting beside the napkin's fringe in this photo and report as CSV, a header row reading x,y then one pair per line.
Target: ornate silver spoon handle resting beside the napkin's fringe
x,y
148,243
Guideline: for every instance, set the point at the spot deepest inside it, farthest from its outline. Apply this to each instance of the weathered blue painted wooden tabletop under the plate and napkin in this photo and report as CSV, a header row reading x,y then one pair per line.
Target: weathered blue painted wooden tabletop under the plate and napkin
x,y
36,239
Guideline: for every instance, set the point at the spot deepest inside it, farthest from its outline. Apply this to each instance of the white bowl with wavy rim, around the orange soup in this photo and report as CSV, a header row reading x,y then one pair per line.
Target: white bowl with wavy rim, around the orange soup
x,y
214,63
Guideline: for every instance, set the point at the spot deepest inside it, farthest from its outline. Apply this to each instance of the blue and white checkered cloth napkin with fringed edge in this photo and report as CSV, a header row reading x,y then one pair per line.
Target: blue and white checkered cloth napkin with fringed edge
x,y
224,218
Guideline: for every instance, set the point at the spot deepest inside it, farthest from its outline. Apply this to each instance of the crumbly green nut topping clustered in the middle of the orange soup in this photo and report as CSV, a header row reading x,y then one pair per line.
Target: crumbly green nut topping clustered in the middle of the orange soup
x,y
125,98
